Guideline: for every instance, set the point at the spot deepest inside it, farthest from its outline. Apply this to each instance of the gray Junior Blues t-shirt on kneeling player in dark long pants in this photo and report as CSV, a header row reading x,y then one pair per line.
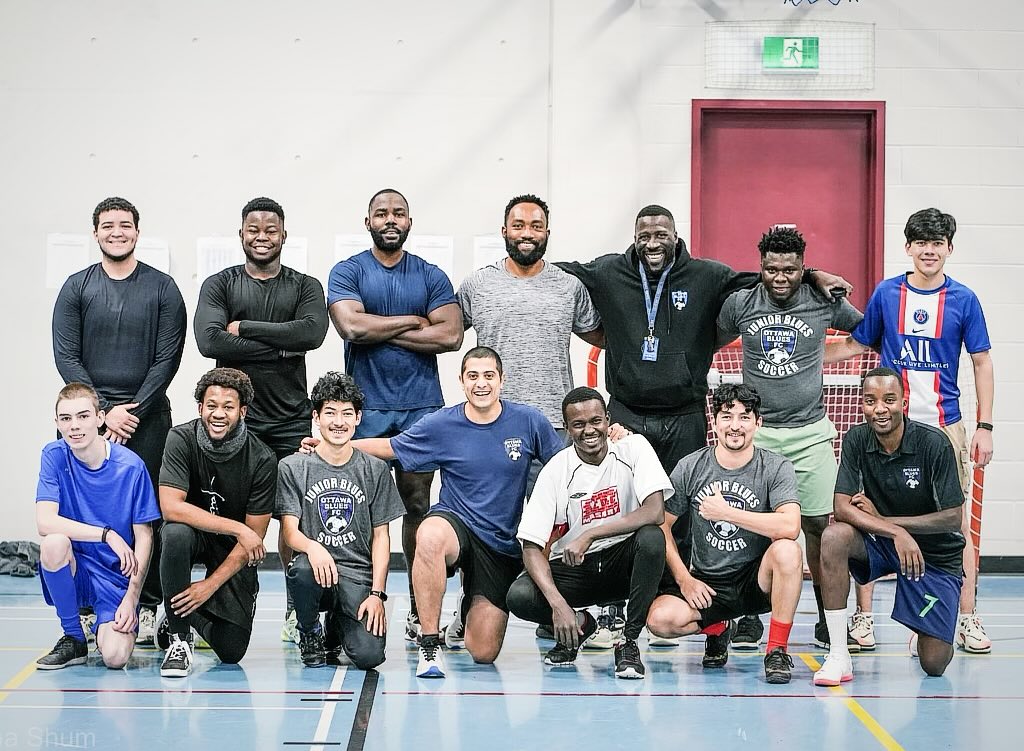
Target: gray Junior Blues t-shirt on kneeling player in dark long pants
x,y
339,507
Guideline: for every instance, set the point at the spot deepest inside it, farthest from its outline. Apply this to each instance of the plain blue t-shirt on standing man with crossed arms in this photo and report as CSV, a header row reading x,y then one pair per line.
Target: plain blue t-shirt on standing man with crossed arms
x,y
393,378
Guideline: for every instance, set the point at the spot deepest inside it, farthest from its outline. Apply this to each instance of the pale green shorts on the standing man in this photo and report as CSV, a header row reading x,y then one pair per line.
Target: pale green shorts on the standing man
x,y
810,450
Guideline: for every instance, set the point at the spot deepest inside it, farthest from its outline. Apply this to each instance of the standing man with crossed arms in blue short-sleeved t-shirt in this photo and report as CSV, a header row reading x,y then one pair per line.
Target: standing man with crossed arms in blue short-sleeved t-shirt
x,y
396,313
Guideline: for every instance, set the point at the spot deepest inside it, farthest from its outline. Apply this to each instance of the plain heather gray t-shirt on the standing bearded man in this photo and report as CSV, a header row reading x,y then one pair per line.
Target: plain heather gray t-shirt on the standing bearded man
x,y
529,322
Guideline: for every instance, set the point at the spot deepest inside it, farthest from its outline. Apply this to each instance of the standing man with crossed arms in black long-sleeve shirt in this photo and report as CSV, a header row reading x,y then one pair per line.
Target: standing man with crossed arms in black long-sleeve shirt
x,y
263,318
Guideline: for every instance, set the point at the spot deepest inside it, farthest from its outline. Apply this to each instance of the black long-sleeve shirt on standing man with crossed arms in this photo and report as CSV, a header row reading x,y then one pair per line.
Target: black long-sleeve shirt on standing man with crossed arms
x,y
281,320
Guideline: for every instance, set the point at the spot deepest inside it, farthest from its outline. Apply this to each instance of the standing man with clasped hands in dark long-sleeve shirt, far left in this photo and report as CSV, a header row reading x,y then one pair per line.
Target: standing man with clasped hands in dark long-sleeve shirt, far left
x,y
136,321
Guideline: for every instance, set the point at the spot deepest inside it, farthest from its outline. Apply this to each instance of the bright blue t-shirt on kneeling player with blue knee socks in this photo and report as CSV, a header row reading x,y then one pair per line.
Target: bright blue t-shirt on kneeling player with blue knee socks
x,y
118,494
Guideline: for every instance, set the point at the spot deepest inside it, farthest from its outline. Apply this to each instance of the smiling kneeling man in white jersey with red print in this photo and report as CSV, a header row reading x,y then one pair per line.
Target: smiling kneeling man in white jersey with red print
x,y
600,507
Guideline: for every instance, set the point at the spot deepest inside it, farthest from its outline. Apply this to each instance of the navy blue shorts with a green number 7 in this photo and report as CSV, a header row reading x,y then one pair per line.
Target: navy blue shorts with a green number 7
x,y
929,606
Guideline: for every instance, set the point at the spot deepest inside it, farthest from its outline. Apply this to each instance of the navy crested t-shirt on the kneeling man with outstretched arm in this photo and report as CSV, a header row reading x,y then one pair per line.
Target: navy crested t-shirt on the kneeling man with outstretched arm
x,y
484,468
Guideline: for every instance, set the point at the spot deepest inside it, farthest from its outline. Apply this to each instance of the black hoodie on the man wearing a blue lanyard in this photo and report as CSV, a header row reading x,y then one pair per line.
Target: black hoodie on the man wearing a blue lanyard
x,y
677,383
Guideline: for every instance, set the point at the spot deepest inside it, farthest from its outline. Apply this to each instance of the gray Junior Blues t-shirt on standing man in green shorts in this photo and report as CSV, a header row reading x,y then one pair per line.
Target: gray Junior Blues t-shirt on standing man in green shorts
x,y
784,349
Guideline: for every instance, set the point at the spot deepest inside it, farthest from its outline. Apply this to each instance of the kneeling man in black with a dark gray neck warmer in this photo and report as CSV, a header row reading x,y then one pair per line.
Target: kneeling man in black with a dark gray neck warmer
x,y
218,487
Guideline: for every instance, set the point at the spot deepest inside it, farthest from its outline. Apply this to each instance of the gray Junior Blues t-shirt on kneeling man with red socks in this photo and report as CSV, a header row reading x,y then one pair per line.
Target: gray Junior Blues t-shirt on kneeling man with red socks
x,y
765,483
